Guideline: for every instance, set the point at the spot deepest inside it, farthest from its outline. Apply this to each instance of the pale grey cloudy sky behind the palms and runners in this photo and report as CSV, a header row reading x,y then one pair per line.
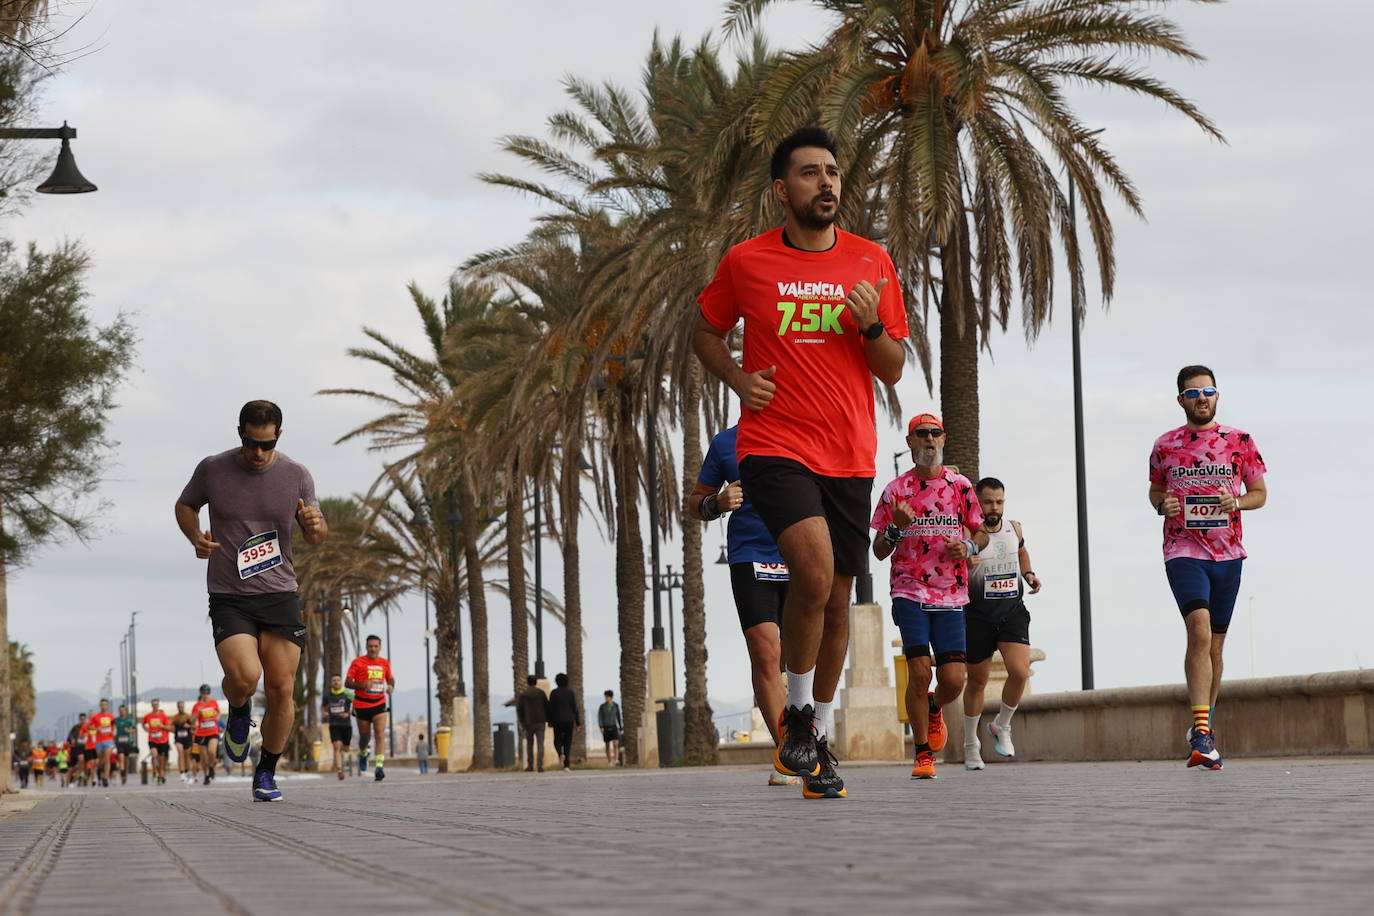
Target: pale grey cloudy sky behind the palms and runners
x,y
274,175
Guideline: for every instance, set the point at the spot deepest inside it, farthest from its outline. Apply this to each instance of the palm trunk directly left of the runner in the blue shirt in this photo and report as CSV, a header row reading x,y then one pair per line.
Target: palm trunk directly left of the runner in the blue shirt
x,y
700,733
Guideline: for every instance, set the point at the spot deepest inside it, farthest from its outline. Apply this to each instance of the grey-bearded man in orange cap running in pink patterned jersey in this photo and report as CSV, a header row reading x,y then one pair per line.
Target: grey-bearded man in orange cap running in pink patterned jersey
x,y
924,521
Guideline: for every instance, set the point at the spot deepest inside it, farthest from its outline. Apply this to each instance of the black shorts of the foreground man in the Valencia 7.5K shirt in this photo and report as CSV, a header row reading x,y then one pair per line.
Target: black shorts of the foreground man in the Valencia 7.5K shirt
x,y
787,492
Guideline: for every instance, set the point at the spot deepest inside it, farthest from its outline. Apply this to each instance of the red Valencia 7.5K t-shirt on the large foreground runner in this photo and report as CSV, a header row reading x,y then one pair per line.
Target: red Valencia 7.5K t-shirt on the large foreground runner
x,y
792,304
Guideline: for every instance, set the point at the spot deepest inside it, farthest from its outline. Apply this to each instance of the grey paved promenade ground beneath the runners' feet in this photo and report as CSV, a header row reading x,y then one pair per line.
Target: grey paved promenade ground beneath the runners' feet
x,y
1263,836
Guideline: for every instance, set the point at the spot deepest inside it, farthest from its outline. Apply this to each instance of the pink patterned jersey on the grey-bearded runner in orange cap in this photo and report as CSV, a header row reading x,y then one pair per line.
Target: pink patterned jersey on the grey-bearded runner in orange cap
x,y
923,569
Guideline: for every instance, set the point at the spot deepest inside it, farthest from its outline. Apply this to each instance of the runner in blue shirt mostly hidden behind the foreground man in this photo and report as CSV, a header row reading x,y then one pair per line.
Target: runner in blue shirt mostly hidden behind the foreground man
x,y
758,577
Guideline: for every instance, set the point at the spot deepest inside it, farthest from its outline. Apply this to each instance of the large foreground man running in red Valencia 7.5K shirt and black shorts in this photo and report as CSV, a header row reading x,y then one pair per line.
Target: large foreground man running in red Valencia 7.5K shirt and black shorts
x,y
824,314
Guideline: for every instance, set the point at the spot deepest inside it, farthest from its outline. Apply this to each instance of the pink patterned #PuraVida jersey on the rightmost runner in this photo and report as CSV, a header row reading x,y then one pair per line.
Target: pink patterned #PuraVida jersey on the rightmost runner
x,y
1195,465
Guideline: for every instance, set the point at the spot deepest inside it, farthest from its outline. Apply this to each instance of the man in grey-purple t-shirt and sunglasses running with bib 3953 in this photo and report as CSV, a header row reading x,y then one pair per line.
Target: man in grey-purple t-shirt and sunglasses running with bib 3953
x,y
255,495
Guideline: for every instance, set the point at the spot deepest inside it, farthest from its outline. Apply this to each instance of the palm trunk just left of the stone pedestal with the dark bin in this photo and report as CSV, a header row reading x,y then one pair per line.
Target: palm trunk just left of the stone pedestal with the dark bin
x,y
630,579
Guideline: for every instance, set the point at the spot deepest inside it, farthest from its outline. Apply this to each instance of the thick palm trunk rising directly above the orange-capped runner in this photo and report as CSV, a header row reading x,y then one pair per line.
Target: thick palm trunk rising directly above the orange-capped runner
x,y
958,363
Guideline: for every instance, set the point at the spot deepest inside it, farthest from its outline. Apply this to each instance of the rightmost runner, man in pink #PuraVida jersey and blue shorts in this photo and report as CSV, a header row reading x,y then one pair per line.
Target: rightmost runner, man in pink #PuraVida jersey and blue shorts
x,y
1197,473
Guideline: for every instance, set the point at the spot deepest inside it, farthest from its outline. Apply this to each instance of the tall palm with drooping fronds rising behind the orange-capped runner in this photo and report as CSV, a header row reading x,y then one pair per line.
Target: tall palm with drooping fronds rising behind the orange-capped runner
x,y
947,105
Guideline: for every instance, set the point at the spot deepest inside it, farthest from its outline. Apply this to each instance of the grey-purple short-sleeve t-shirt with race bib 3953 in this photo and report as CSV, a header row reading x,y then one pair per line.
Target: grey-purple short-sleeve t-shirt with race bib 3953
x,y
252,514
